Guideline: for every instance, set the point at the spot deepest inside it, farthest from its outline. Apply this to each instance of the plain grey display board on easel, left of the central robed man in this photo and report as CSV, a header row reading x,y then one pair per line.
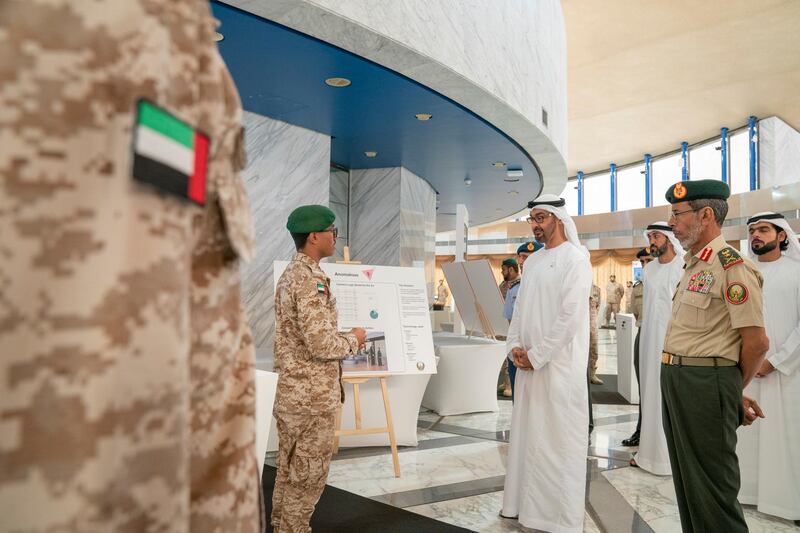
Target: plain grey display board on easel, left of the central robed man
x,y
471,284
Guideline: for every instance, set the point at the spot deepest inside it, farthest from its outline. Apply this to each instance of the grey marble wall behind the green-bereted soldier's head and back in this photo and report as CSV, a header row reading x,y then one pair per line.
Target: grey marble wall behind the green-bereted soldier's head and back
x,y
287,166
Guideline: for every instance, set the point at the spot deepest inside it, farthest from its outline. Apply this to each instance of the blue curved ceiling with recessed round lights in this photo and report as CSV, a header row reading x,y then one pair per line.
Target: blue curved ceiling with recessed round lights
x,y
280,73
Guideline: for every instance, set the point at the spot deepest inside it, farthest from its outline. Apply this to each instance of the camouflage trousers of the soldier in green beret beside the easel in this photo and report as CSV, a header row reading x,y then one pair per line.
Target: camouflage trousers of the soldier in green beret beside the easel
x,y
304,458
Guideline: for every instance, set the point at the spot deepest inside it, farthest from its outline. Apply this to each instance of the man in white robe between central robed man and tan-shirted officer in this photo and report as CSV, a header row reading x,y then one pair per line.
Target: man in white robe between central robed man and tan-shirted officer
x,y
659,280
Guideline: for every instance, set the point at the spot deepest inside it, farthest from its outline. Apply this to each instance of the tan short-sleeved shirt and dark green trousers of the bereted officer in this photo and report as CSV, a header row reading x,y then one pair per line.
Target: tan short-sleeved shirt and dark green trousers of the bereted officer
x,y
720,291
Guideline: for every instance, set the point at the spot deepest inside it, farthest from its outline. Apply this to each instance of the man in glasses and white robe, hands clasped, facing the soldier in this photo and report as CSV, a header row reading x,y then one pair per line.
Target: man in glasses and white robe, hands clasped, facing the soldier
x,y
549,341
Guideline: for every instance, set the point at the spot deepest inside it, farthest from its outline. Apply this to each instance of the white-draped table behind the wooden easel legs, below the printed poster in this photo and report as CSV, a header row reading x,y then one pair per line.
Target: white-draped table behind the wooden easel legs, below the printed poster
x,y
405,397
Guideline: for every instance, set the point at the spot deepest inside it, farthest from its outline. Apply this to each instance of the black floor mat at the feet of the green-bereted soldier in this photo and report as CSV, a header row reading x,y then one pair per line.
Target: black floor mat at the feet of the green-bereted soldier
x,y
339,510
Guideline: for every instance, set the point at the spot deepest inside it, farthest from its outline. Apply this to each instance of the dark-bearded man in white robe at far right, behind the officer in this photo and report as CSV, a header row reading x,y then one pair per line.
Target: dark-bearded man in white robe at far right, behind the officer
x,y
769,452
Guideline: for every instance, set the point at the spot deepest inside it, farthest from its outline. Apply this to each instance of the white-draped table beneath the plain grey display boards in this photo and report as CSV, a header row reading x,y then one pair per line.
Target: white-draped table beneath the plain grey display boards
x,y
466,379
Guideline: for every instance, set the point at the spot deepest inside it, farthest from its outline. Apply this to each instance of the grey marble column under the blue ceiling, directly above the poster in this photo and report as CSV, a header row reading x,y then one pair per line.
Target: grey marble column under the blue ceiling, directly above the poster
x,y
393,219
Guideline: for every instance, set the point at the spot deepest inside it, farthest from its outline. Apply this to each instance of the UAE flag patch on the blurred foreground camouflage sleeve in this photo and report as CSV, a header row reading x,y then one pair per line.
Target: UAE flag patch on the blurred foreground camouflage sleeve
x,y
169,154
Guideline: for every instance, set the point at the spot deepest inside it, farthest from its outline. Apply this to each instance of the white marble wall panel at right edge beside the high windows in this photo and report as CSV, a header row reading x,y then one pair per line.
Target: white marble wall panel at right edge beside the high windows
x,y
778,153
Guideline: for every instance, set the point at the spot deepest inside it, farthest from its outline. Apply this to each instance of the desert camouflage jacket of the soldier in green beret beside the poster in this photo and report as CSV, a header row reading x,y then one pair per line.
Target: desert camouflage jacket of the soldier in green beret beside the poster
x,y
308,345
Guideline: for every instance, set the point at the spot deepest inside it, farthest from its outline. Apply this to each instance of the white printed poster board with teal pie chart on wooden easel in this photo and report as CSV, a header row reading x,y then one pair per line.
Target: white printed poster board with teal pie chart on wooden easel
x,y
391,303
